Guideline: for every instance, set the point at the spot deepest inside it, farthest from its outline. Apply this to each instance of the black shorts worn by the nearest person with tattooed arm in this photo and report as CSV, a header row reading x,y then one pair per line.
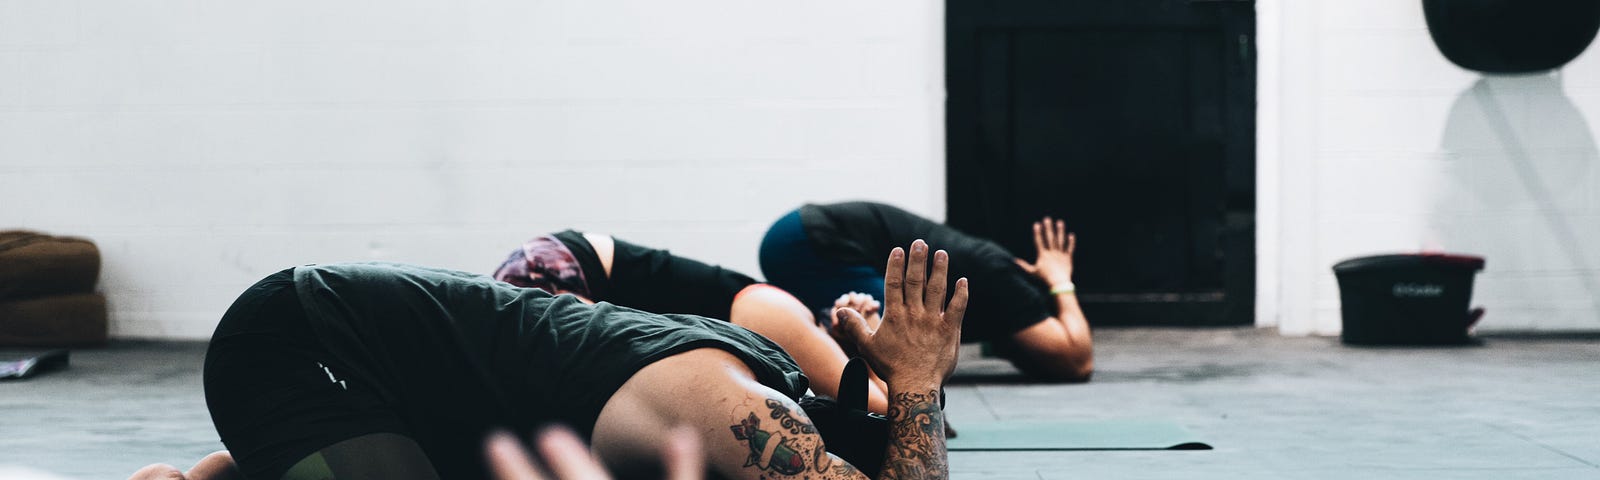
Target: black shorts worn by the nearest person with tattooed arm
x,y
278,394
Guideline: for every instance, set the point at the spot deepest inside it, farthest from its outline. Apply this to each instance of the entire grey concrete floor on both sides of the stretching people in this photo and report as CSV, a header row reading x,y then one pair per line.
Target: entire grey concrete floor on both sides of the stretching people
x,y
1273,407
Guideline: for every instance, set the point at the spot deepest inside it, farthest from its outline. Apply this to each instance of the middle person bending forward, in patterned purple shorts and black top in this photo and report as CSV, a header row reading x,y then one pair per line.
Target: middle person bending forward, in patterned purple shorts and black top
x,y
599,268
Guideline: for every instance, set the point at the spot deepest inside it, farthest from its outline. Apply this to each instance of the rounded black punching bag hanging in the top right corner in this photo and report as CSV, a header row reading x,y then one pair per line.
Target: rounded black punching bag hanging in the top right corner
x,y
1513,36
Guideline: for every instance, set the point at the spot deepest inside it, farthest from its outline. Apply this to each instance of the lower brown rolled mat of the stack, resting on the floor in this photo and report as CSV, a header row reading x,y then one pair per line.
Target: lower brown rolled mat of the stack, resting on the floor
x,y
65,321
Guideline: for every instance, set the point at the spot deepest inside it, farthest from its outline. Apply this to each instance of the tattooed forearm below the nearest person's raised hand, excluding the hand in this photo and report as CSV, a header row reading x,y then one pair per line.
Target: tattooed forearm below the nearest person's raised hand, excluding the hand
x,y
916,434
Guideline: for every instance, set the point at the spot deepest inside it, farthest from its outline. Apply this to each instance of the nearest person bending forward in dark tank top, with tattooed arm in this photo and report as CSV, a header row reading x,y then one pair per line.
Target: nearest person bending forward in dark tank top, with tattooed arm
x,y
401,372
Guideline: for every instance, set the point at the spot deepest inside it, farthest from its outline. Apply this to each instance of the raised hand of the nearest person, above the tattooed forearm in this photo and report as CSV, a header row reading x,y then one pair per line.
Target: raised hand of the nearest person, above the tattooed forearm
x,y
918,342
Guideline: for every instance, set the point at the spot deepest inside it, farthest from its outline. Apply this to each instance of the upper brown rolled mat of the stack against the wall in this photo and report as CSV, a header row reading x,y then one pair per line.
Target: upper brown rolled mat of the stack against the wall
x,y
34,265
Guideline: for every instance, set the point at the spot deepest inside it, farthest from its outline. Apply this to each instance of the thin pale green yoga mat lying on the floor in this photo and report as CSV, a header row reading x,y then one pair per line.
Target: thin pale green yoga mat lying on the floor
x,y
1102,434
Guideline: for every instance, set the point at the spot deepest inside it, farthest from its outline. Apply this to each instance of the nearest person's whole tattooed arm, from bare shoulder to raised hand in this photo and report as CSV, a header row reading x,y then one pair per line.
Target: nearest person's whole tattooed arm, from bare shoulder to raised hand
x,y
753,431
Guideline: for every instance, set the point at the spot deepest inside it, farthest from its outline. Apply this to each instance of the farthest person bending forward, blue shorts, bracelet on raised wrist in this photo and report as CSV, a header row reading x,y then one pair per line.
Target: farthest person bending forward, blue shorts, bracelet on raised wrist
x,y
1030,311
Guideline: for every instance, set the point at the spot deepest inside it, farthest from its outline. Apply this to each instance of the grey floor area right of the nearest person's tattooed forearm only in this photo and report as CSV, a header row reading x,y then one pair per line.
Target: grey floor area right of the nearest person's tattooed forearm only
x,y
1311,409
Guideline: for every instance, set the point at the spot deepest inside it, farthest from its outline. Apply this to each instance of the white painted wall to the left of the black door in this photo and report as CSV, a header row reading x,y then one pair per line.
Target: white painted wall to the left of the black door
x,y
207,145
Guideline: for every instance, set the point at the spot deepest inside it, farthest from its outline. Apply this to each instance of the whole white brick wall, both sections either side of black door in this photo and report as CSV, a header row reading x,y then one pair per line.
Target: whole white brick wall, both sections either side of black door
x,y
206,145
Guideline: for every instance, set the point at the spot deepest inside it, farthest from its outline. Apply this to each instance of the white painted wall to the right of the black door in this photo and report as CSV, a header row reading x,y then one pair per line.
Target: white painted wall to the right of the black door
x,y
1374,143
